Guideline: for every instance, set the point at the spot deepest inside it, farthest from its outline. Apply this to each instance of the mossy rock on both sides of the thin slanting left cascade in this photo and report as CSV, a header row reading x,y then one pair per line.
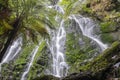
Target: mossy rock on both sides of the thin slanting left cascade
x,y
15,68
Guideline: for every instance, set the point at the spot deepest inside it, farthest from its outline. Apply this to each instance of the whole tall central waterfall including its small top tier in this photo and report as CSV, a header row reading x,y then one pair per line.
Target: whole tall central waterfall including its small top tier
x,y
59,67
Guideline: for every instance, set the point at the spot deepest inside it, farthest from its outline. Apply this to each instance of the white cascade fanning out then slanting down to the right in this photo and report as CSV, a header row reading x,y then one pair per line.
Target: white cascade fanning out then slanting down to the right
x,y
87,28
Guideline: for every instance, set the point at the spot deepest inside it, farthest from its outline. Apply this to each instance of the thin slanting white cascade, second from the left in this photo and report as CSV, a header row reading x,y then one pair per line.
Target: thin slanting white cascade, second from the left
x,y
33,53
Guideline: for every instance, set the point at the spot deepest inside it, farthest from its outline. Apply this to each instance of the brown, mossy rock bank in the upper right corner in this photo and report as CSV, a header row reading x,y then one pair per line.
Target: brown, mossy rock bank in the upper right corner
x,y
104,11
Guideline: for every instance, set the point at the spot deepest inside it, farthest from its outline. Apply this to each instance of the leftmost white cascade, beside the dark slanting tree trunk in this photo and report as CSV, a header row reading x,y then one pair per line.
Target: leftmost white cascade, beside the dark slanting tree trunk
x,y
13,50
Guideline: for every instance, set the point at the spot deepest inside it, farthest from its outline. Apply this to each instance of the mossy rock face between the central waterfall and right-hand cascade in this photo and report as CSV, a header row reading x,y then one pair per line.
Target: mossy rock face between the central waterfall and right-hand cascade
x,y
79,48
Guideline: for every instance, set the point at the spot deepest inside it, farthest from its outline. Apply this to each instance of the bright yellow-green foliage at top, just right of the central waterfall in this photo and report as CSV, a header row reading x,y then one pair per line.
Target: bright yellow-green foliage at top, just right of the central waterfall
x,y
75,7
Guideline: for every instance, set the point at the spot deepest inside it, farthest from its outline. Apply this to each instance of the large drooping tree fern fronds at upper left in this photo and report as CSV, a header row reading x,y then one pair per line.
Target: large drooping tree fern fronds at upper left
x,y
34,15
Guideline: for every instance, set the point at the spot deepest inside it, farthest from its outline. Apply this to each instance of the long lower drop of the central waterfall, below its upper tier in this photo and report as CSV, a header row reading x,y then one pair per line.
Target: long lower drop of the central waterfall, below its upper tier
x,y
59,66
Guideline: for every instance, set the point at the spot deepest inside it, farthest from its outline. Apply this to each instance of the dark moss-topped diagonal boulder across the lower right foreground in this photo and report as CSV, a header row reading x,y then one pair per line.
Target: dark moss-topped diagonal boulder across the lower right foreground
x,y
99,68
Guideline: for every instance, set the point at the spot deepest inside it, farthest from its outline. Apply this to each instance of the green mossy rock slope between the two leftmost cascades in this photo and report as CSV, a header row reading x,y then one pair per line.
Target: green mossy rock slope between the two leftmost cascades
x,y
16,67
